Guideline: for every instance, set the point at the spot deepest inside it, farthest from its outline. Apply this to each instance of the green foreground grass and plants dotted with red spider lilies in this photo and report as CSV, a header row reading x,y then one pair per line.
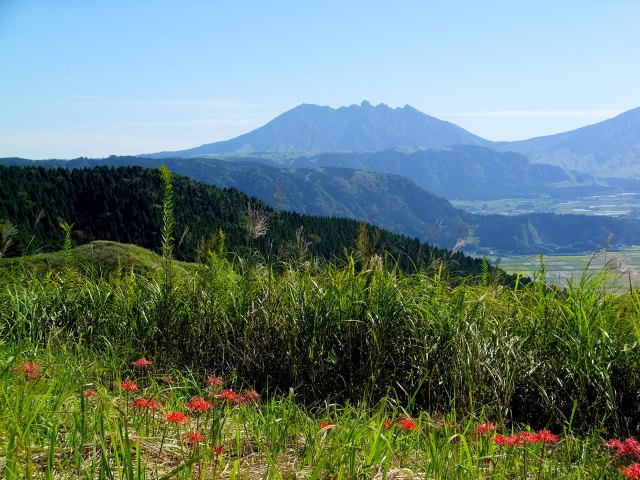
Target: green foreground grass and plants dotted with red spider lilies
x,y
360,368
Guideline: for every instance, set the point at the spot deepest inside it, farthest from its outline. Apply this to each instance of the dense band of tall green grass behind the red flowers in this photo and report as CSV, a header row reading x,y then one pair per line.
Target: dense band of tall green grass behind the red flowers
x,y
339,332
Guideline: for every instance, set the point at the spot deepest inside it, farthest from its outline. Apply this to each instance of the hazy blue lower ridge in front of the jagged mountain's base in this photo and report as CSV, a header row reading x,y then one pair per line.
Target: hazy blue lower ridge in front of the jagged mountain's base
x,y
459,172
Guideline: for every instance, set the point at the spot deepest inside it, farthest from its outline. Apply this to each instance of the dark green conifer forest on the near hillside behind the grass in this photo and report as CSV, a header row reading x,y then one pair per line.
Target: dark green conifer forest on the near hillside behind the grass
x,y
124,204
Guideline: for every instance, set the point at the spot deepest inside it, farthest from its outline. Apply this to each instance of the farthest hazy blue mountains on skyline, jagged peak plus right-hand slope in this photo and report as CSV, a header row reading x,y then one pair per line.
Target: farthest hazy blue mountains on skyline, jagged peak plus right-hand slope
x,y
610,148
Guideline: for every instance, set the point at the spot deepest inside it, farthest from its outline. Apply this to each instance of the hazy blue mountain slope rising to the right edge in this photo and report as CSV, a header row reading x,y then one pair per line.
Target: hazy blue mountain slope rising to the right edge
x,y
607,149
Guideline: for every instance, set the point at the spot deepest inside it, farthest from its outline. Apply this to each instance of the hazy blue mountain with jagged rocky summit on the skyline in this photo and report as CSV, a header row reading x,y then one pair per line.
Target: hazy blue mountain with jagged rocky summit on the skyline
x,y
358,128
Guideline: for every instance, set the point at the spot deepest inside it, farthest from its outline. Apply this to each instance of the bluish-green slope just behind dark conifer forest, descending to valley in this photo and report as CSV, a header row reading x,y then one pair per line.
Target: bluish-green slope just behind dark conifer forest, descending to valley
x,y
389,201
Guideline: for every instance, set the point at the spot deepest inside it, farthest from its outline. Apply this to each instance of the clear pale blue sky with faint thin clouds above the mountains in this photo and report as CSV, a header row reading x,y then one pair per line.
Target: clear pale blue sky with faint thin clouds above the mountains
x,y
89,78
